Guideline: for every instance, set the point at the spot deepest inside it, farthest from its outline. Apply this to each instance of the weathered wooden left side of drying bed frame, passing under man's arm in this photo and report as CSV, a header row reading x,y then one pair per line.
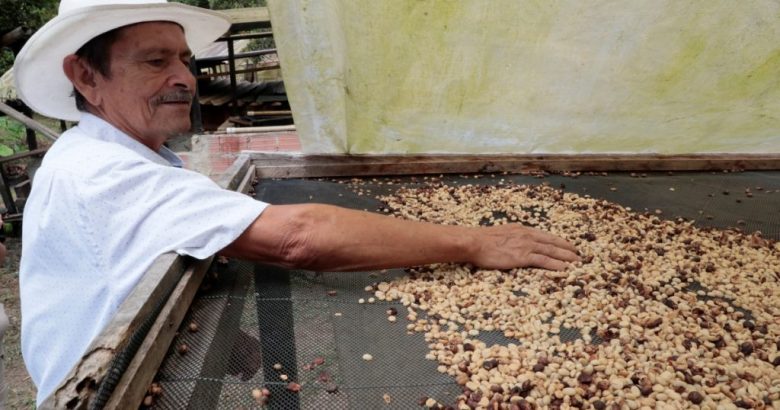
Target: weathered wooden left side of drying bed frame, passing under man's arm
x,y
169,271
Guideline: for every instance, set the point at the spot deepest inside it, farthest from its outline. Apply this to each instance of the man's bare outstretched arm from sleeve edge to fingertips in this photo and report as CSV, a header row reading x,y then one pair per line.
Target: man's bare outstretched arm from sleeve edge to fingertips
x,y
330,238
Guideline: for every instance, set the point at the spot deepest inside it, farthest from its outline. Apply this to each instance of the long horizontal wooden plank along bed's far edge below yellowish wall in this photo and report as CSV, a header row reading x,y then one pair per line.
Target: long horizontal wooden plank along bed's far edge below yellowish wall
x,y
285,165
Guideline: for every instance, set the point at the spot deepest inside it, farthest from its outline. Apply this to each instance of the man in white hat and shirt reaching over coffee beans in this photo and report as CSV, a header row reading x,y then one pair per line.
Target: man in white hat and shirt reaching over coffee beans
x,y
109,197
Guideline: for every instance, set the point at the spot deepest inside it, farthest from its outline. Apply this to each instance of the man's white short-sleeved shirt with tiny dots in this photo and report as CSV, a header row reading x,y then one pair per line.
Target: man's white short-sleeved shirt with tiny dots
x,y
103,206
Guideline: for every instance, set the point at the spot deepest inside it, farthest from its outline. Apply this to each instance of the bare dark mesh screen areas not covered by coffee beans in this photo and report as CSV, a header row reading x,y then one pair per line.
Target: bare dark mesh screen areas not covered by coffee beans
x,y
253,317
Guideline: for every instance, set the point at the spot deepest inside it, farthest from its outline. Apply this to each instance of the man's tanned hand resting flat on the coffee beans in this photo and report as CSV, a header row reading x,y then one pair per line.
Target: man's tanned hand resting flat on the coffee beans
x,y
514,245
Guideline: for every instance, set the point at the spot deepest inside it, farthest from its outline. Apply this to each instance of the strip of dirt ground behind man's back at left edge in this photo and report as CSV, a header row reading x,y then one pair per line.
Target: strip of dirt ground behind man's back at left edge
x,y
21,391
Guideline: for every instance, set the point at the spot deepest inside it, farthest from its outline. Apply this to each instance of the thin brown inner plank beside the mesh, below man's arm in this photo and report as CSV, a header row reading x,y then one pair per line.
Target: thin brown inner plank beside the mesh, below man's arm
x,y
142,369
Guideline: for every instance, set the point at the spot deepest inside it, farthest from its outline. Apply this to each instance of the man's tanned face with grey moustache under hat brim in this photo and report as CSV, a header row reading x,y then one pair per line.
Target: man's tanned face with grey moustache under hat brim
x,y
149,92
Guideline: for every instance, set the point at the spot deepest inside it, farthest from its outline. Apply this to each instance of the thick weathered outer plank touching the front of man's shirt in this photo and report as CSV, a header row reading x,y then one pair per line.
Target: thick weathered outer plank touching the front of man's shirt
x,y
78,388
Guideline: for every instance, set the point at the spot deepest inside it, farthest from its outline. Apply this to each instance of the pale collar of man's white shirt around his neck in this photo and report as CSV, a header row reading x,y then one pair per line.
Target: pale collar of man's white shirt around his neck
x,y
100,129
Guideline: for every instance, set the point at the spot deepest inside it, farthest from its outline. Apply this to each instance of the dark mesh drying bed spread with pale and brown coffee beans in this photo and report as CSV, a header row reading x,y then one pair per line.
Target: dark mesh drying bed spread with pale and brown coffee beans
x,y
330,333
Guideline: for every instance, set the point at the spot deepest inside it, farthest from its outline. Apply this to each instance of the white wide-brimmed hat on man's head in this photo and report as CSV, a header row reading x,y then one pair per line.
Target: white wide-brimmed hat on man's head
x,y
40,81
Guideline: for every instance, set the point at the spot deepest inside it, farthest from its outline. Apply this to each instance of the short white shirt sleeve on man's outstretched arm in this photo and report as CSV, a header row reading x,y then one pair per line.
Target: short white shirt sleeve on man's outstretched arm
x,y
153,208
